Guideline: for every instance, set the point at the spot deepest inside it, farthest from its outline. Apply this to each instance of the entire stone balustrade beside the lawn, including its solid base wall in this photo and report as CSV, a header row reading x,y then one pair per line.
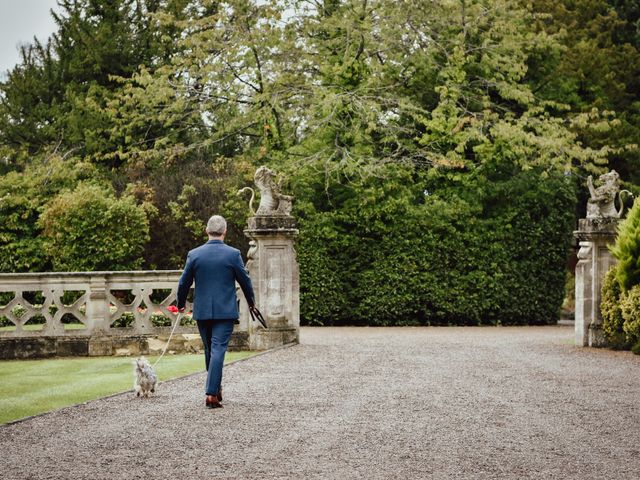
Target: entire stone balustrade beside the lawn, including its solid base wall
x,y
91,313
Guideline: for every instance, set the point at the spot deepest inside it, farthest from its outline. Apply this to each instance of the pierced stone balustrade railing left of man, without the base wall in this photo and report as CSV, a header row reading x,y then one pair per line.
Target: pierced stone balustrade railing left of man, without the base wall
x,y
90,304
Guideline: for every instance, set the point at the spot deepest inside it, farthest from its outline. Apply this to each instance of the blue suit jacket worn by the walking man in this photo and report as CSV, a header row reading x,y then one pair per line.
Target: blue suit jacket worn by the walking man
x,y
215,267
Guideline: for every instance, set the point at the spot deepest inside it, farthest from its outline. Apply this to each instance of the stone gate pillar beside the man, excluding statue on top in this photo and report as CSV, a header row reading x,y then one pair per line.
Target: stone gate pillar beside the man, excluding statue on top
x,y
274,273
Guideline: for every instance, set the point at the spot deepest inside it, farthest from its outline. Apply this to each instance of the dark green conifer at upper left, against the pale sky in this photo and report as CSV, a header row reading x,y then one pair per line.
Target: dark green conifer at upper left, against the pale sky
x,y
58,93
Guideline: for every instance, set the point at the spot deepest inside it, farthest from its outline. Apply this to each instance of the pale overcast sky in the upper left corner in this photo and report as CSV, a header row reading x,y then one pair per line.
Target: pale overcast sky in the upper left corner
x,y
20,21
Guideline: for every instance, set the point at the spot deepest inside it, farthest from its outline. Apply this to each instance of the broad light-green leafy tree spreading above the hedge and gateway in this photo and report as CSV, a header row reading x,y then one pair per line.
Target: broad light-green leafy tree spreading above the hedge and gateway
x,y
348,85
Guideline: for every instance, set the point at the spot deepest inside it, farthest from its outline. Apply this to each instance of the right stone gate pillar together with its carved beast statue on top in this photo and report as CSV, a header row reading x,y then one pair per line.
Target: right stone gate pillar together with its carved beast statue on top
x,y
595,233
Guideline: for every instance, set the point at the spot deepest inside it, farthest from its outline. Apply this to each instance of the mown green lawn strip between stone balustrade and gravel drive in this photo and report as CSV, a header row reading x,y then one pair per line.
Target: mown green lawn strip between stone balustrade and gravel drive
x,y
29,387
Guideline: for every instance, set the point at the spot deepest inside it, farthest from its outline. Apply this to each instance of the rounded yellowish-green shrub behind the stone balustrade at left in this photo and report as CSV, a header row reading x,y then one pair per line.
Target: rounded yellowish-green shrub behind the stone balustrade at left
x,y
90,229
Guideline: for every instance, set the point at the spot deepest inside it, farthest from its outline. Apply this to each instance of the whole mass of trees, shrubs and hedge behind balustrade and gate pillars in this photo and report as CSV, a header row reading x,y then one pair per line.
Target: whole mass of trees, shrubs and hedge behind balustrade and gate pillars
x,y
435,154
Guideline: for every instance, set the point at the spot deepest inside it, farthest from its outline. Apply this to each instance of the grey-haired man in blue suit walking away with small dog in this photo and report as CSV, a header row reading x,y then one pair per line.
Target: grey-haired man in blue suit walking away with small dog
x,y
215,267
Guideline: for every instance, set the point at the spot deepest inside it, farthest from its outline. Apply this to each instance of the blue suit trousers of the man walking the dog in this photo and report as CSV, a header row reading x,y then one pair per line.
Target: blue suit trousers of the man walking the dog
x,y
215,336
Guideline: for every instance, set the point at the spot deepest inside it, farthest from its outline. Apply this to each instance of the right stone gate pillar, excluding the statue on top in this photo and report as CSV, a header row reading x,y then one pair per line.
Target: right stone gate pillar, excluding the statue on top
x,y
594,261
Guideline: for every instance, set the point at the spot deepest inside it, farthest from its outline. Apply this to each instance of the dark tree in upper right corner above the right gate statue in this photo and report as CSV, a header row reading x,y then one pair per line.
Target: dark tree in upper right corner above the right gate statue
x,y
597,70
